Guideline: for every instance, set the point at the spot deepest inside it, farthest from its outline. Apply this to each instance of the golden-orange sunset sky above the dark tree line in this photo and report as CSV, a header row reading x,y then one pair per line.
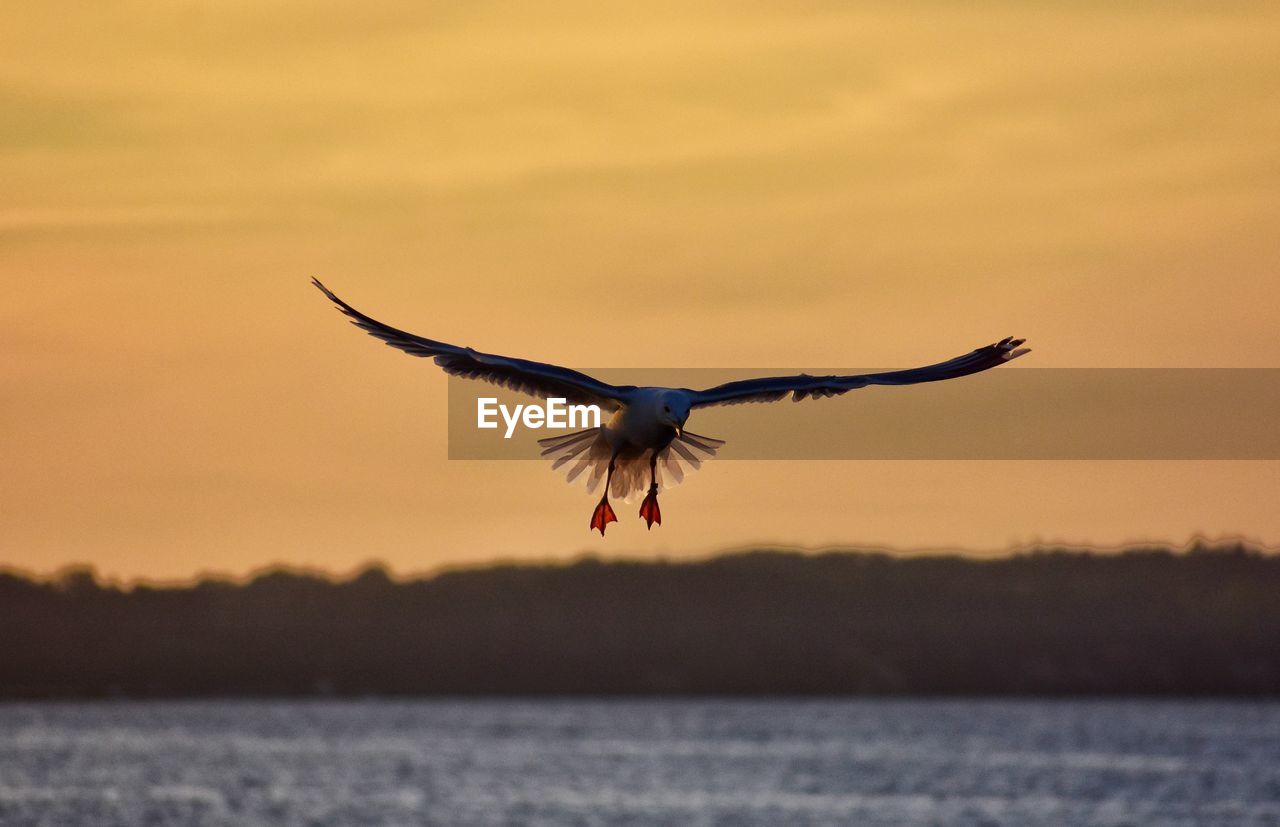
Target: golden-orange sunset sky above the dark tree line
x,y
746,186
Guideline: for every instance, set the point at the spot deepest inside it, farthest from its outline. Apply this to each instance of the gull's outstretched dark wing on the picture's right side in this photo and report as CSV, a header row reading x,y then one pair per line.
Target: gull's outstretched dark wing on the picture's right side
x,y
804,386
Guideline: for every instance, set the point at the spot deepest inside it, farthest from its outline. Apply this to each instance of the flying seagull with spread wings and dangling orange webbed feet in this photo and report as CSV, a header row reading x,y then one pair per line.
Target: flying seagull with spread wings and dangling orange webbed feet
x,y
647,424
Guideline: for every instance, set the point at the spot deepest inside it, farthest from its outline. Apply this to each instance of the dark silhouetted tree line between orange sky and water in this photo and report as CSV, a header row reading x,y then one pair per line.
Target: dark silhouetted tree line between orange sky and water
x,y
1144,622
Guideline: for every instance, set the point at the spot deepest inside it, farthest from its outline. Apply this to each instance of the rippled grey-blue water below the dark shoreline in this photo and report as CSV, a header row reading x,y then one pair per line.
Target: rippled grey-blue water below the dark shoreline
x,y
641,762
